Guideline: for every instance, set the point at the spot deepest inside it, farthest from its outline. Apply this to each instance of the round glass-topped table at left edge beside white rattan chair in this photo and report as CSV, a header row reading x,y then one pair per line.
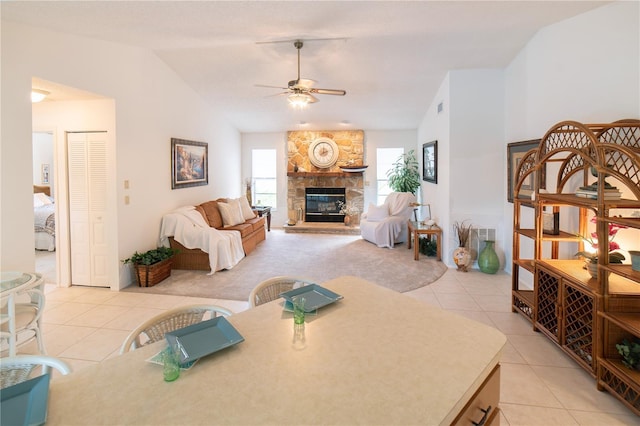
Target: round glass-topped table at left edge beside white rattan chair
x,y
11,285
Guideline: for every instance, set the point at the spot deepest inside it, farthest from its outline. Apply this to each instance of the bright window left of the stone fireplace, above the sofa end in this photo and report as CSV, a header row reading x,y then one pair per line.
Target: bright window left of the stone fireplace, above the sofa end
x,y
263,172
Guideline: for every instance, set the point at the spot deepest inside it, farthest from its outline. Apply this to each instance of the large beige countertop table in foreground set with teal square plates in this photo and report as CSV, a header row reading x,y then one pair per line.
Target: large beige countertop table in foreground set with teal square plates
x,y
375,357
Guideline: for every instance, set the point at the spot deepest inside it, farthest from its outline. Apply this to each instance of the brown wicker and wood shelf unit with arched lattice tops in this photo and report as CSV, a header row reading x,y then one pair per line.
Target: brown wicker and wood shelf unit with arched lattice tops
x,y
586,317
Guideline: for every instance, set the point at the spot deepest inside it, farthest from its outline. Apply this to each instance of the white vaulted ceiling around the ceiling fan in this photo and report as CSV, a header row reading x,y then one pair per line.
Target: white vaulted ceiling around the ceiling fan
x,y
390,56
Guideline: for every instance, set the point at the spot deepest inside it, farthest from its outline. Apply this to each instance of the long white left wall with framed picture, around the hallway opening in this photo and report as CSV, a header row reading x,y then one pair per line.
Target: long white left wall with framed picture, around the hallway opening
x,y
151,105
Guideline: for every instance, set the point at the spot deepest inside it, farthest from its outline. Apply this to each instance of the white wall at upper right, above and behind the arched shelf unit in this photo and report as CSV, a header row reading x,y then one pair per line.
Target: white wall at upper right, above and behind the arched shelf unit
x,y
586,68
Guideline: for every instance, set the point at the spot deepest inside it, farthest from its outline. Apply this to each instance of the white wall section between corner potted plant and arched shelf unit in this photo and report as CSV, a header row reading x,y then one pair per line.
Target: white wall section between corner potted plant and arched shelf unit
x,y
470,138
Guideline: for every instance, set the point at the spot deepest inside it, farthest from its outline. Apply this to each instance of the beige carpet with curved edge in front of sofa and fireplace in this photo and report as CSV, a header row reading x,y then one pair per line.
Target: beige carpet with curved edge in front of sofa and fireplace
x,y
318,257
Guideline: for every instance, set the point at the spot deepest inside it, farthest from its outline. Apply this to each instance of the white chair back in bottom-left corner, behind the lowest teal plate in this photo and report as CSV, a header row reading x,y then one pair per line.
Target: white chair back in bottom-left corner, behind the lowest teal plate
x,y
17,369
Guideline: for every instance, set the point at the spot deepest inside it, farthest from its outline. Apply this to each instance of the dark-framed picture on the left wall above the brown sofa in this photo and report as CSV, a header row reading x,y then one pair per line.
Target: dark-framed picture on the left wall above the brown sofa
x,y
189,163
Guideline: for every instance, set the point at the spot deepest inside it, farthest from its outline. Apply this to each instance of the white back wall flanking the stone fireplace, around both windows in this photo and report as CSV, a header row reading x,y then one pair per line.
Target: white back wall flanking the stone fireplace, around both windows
x,y
373,139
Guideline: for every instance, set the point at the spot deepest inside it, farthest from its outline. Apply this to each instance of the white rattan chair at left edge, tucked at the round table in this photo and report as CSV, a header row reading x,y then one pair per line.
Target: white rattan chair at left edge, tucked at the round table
x,y
21,317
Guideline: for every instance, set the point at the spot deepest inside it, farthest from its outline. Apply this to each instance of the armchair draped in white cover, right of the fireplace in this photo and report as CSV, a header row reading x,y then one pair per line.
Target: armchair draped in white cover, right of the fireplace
x,y
386,225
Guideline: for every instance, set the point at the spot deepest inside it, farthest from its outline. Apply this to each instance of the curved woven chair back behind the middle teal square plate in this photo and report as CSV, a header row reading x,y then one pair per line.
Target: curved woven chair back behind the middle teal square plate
x,y
154,329
